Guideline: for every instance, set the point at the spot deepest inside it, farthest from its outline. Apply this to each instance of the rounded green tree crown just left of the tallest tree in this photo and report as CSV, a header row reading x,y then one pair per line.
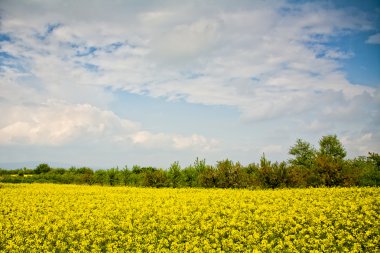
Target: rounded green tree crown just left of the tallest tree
x,y
304,154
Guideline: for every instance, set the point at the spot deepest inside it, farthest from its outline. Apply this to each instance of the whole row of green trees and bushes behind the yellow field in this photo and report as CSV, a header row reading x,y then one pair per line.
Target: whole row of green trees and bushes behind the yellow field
x,y
307,167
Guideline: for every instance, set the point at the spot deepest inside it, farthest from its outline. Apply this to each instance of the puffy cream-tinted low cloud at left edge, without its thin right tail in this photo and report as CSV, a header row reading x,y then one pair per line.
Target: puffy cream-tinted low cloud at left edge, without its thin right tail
x,y
58,123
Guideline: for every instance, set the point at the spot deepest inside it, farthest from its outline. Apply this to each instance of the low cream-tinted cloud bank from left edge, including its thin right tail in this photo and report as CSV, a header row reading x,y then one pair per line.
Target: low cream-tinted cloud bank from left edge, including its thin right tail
x,y
56,123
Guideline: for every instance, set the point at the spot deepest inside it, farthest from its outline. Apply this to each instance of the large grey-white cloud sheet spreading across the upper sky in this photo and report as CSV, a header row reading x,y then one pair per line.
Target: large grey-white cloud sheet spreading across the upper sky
x,y
224,47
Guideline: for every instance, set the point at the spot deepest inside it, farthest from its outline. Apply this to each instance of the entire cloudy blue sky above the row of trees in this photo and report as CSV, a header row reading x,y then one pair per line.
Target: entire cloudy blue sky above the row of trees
x,y
114,83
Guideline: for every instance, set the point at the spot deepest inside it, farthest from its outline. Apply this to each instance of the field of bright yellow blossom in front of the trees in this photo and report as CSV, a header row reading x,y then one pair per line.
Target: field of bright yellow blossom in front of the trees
x,y
72,218
